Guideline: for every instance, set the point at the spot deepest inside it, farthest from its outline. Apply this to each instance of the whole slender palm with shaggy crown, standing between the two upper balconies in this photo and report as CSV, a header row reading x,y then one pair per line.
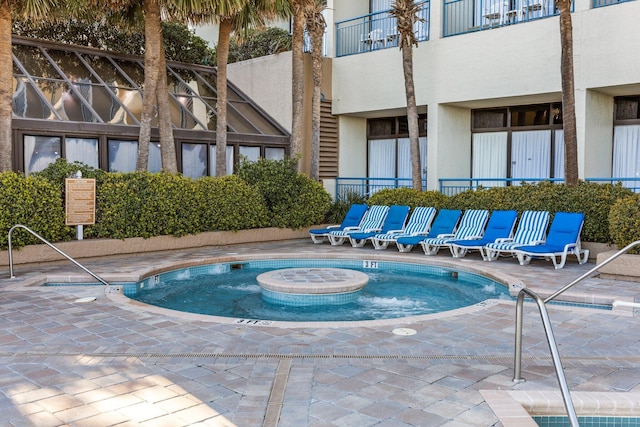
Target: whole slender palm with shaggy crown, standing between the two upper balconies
x,y
406,14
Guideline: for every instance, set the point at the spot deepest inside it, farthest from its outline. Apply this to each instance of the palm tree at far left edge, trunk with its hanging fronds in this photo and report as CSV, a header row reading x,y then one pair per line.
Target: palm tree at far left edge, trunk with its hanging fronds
x,y
35,9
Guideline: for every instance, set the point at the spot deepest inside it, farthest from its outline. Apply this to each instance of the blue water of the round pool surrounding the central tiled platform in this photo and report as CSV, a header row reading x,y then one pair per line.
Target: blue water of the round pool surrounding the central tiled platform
x,y
394,290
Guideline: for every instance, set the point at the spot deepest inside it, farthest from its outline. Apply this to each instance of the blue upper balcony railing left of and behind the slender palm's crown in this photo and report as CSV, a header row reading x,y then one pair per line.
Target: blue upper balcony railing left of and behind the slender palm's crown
x,y
376,31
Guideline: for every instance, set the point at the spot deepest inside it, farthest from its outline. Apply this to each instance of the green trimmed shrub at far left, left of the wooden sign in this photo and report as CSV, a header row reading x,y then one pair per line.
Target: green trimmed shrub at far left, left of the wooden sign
x,y
33,202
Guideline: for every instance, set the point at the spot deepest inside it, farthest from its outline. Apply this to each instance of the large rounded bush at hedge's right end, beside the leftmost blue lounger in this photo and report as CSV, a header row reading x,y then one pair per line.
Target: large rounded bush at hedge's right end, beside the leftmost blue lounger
x,y
293,200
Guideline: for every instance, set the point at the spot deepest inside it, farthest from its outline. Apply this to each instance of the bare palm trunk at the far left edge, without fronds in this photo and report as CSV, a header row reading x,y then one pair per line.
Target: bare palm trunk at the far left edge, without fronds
x,y
6,88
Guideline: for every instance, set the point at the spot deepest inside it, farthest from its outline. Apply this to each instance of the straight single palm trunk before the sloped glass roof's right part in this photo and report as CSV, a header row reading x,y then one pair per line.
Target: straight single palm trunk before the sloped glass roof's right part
x,y
221,101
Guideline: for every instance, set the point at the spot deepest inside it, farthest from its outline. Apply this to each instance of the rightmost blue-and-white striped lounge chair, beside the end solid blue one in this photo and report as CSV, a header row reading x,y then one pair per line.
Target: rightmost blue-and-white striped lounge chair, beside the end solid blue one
x,y
531,228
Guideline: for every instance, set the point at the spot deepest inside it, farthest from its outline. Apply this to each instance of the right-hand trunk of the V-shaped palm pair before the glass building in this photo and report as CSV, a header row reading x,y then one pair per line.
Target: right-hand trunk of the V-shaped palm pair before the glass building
x,y
167,145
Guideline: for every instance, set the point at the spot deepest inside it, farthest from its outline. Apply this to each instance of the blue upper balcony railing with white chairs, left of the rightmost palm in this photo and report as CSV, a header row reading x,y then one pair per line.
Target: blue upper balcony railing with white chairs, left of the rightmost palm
x,y
465,16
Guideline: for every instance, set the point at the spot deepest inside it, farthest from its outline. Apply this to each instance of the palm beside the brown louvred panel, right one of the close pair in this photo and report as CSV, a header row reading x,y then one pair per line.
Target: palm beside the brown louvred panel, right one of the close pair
x,y
315,27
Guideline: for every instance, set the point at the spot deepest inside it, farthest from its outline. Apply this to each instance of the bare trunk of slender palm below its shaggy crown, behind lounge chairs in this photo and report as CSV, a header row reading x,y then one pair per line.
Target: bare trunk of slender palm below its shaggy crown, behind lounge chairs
x,y
412,116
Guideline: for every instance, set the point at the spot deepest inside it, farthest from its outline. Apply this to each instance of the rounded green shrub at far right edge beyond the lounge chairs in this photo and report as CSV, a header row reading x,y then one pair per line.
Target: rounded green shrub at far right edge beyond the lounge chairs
x,y
624,222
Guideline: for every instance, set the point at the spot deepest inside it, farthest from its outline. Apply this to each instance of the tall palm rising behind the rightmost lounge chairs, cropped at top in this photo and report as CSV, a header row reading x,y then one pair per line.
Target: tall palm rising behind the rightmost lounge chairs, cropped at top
x,y
568,94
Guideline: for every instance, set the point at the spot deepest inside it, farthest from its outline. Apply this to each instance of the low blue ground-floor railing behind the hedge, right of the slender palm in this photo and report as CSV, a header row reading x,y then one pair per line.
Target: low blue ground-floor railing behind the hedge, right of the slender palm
x,y
451,186
